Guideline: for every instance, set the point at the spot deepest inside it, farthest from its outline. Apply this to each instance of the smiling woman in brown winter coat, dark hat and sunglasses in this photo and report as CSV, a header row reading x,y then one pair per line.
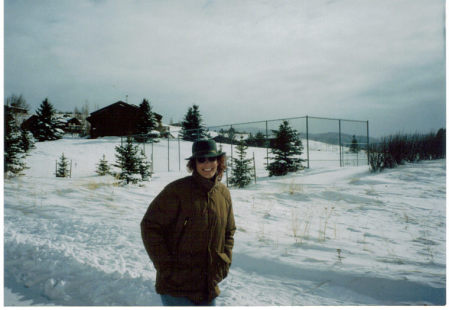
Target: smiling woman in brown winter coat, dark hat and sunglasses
x,y
188,231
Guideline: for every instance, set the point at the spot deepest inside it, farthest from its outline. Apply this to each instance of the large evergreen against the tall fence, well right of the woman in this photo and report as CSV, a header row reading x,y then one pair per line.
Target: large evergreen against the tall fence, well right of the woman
x,y
286,147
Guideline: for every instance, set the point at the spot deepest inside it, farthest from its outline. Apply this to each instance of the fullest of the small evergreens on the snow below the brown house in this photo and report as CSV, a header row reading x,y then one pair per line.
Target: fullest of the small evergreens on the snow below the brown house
x,y
128,160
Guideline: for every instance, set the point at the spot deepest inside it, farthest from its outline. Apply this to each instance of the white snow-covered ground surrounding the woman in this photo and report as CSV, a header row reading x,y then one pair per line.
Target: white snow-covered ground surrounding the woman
x,y
323,236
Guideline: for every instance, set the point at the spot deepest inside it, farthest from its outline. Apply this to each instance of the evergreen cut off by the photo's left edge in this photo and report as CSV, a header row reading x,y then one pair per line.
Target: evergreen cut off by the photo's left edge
x,y
14,157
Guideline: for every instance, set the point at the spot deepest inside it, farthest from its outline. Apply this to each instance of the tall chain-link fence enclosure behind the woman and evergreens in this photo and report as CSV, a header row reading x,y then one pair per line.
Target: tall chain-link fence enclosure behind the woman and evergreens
x,y
326,142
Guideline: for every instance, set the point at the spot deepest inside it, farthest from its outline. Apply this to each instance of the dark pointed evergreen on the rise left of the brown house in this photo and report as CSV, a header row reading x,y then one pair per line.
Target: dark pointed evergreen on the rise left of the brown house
x,y
46,128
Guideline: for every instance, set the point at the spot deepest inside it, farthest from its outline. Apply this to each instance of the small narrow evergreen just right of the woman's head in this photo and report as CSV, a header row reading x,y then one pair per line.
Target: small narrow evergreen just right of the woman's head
x,y
241,169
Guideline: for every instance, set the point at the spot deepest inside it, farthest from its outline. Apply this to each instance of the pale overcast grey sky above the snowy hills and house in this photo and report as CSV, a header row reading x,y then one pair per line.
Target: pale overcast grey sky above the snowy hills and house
x,y
376,60
